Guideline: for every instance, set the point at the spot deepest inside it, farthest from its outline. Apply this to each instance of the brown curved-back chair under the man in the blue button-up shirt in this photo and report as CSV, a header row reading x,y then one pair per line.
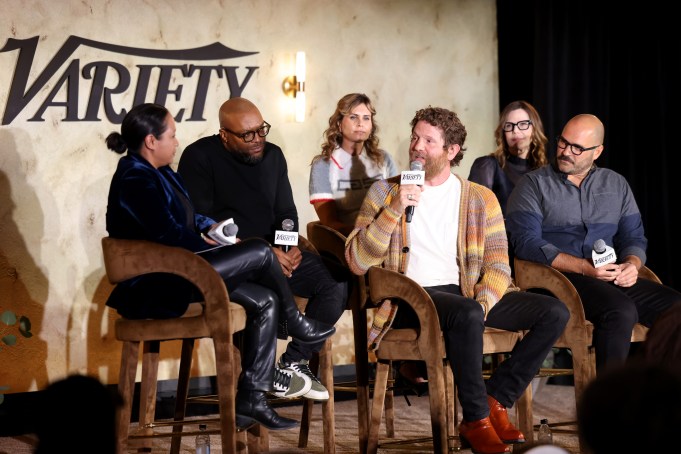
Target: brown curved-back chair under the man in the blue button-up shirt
x,y
578,333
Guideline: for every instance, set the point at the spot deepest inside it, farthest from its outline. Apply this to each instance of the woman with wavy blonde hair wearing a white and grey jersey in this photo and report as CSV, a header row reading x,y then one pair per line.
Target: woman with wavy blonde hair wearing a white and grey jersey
x,y
350,161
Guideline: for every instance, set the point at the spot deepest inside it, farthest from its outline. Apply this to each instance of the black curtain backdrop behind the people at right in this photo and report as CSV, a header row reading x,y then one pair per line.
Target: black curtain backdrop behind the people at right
x,y
621,64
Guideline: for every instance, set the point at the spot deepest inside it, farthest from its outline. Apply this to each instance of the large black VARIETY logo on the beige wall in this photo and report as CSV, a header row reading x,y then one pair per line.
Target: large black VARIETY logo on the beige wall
x,y
106,88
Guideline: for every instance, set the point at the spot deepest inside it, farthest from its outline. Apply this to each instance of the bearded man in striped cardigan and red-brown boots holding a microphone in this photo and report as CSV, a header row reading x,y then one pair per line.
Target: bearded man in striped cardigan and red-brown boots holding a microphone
x,y
456,248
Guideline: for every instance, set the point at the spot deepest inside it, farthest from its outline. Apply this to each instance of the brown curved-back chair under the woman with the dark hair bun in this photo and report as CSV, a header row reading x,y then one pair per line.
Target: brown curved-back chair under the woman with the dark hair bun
x,y
216,318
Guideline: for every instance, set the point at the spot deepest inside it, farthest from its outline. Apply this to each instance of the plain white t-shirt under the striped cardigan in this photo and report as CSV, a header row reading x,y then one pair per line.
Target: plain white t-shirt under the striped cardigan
x,y
434,230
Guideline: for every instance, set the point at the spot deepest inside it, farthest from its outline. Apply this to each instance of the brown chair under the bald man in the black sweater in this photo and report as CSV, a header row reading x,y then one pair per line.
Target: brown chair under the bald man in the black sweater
x,y
331,244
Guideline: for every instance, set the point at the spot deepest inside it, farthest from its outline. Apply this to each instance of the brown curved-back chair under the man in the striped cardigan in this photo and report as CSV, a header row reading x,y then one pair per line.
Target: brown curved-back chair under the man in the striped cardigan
x,y
426,344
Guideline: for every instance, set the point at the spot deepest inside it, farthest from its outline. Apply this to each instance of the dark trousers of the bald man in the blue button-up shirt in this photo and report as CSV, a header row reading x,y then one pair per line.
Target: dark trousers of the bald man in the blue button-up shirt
x,y
615,310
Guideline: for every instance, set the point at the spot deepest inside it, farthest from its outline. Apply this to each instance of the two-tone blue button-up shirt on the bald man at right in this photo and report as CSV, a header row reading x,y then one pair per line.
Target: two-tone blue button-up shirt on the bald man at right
x,y
548,214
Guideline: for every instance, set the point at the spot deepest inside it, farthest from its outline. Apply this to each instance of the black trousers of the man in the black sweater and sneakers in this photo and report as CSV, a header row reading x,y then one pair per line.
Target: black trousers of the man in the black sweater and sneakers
x,y
325,284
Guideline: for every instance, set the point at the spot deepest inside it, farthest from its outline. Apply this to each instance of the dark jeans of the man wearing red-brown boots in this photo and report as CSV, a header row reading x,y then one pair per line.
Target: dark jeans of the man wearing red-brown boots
x,y
462,322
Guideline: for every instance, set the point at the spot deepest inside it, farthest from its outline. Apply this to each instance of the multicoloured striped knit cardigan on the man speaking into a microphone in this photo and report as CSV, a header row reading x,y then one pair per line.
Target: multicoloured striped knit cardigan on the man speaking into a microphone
x,y
381,238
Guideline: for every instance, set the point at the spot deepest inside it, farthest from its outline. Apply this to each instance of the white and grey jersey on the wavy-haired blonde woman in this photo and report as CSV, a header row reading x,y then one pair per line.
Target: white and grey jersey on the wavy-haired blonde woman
x,y
346,179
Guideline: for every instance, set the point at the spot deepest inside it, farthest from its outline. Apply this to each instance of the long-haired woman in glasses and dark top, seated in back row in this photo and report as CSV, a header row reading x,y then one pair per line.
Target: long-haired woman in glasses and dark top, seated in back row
x,y
521,147
